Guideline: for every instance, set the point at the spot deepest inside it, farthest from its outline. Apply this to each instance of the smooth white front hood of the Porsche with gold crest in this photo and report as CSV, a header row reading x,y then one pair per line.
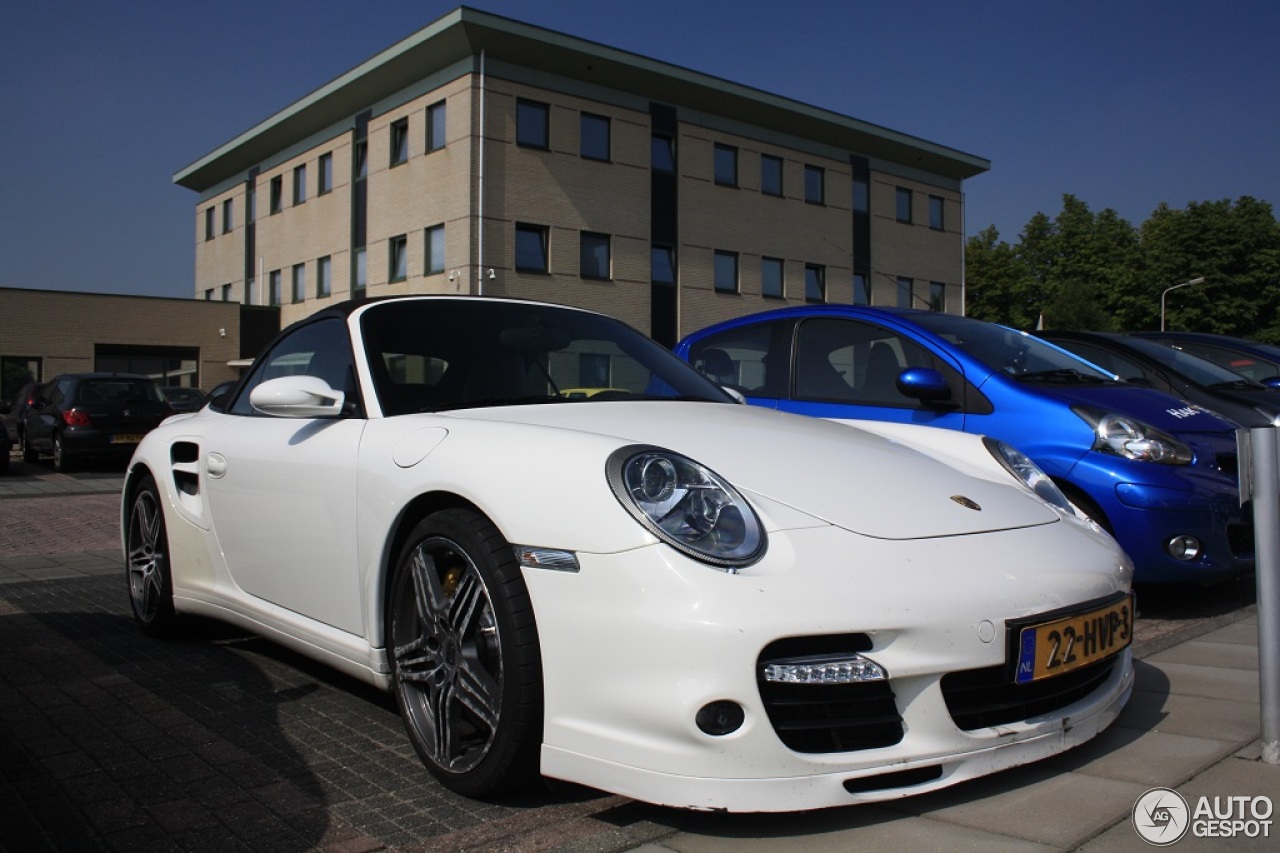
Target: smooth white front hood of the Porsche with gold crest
x,y
839,475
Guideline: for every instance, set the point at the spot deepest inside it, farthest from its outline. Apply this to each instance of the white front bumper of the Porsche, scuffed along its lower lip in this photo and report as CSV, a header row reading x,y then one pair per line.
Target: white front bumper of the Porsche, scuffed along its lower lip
x,y
634,645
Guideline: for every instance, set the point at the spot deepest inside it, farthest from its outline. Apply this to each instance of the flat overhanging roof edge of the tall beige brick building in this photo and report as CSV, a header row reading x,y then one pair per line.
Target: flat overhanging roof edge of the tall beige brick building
x,y
467,33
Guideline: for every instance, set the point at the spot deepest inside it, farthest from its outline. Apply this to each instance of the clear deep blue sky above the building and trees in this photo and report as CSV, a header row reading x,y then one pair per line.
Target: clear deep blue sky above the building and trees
x,y
1124,104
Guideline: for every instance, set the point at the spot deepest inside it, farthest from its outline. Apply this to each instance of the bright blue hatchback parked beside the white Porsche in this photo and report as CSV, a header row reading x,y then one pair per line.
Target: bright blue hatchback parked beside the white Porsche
x,y
1156,472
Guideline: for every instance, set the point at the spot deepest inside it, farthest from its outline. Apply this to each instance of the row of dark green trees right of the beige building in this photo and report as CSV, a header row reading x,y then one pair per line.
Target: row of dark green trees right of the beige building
x,y
1095,271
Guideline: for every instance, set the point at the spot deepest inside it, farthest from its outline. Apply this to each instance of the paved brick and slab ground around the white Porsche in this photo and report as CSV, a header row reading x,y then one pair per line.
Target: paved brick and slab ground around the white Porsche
x,y
220,741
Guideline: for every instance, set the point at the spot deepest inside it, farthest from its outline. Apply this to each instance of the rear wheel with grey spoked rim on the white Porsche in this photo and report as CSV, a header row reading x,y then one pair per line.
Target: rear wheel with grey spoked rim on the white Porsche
x,y
147,542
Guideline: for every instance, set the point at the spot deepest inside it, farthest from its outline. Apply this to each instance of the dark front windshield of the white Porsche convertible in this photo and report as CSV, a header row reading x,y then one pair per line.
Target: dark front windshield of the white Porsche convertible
x,y
435,355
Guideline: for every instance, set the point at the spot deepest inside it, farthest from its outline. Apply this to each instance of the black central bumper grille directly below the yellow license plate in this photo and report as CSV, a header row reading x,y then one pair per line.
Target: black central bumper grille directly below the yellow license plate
x,y
988,697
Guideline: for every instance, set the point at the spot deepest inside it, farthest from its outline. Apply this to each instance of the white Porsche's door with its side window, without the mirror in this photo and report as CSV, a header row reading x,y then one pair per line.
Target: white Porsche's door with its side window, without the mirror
x,y
282,491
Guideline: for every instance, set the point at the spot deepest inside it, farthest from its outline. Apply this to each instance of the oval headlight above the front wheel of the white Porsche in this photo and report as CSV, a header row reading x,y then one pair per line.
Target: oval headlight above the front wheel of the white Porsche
x,y
687,505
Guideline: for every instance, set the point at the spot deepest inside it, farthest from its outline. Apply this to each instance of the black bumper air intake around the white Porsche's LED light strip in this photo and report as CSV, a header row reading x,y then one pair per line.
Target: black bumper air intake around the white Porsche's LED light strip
x,y
829,718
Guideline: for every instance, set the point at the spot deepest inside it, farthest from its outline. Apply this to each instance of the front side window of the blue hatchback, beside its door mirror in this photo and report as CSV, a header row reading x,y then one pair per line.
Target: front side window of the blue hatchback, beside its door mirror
x,y
860,363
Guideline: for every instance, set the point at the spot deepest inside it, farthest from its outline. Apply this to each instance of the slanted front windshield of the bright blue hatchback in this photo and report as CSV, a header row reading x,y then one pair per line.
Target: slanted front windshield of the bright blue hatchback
x,y
1012,353
